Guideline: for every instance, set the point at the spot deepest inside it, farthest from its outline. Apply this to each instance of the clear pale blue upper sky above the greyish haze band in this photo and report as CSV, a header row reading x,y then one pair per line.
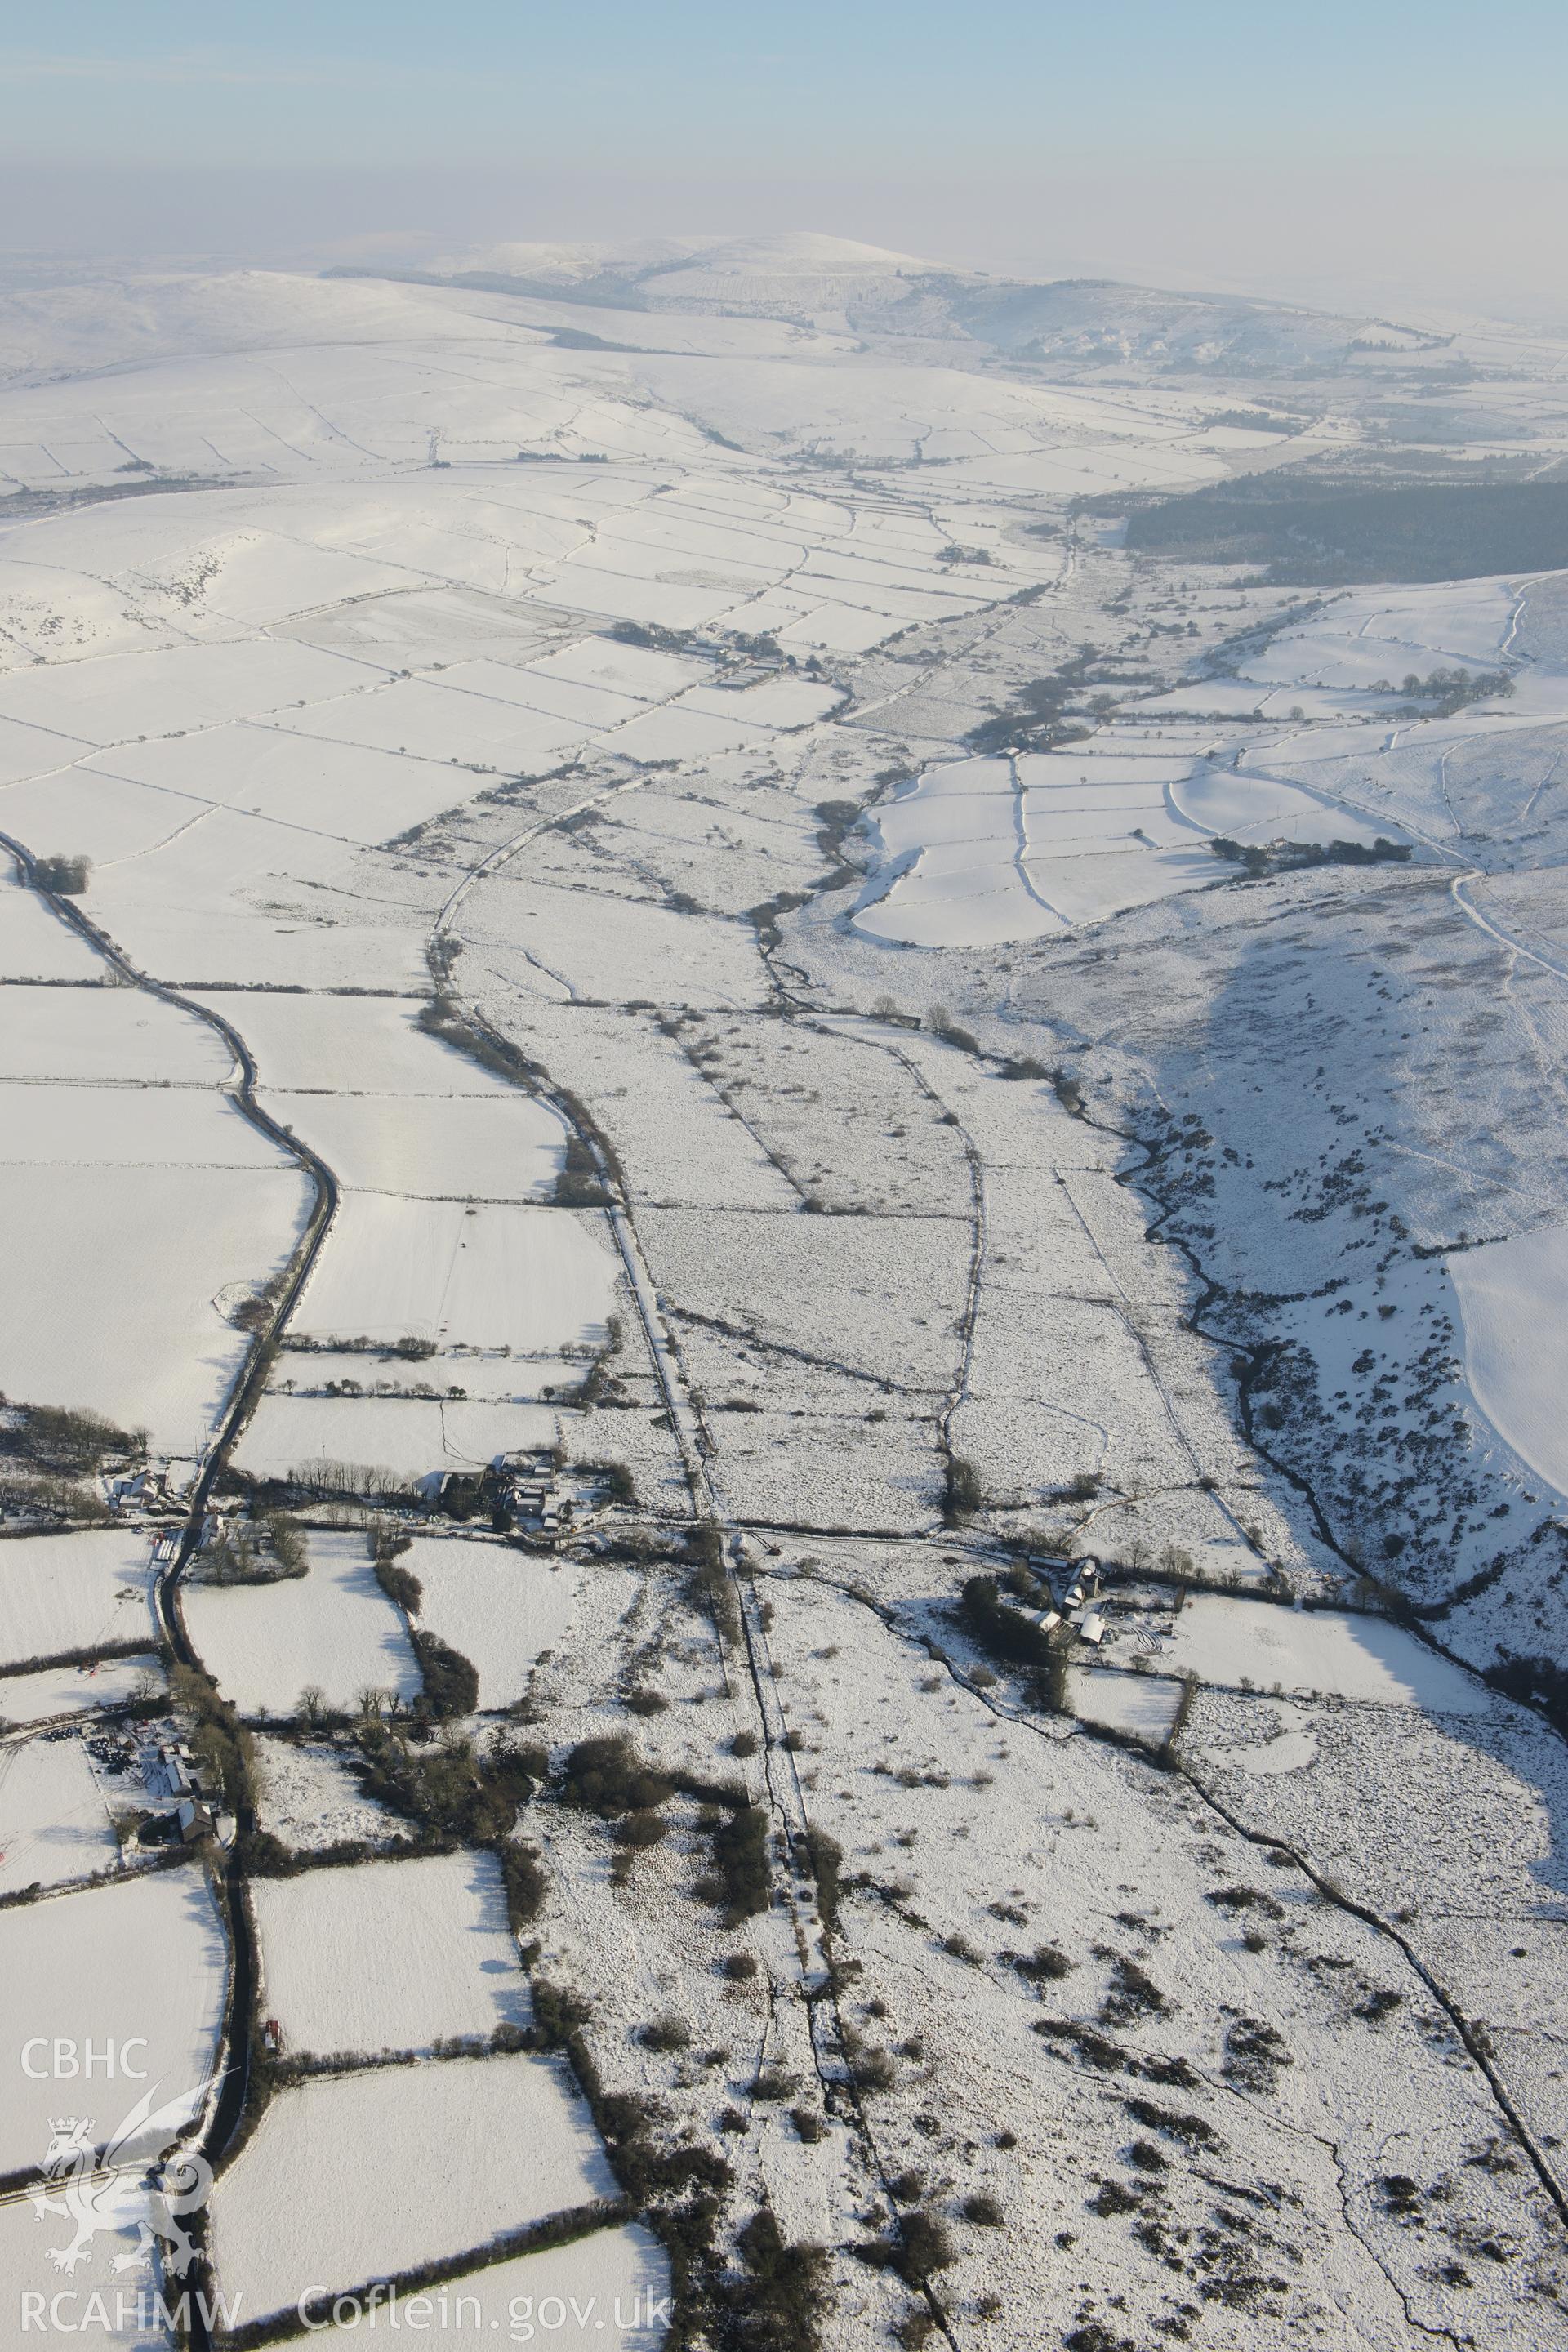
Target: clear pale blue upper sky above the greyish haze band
x,y
852,88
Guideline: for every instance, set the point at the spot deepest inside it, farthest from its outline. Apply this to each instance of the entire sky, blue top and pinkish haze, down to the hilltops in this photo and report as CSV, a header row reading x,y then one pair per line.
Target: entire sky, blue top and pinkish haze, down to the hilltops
x,y
1372,149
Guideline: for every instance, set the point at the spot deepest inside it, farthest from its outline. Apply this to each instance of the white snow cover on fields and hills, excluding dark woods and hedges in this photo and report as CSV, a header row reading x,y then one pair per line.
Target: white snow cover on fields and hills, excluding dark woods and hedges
x,y
335,709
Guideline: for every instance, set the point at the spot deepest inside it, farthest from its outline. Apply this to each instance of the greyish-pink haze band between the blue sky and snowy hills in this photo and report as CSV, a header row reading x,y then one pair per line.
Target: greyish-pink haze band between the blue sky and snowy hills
x,y
1383,248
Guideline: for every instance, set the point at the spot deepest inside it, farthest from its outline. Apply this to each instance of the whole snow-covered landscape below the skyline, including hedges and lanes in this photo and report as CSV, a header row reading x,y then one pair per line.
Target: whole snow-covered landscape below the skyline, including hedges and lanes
x,y
782,1481
